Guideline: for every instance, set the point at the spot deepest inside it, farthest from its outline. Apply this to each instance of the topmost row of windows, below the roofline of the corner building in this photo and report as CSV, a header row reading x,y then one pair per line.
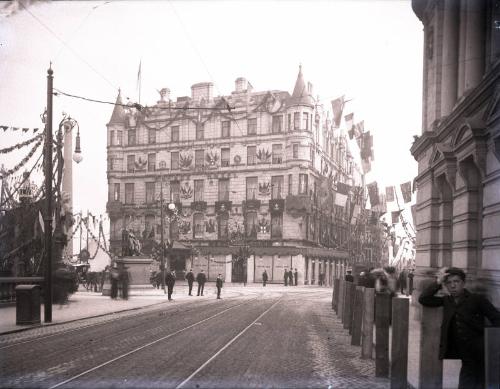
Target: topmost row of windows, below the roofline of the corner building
x,y
225,129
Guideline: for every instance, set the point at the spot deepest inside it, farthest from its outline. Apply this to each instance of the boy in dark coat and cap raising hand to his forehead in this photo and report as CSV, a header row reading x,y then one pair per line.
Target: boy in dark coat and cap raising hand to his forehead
x,y
462,329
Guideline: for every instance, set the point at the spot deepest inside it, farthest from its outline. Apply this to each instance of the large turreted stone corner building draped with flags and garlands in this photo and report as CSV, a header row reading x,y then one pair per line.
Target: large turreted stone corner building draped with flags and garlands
x,y
251,175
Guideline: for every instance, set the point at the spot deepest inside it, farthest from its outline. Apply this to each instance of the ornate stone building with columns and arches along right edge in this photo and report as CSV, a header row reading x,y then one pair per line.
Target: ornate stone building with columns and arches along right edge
x,y
458,155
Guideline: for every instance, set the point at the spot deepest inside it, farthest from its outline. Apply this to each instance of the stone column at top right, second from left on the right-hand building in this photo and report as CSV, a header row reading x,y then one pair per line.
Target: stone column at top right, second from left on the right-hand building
x,y
475,43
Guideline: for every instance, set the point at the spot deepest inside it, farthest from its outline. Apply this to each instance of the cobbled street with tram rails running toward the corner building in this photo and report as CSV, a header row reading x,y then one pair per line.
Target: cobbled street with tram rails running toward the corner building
x,y
255,337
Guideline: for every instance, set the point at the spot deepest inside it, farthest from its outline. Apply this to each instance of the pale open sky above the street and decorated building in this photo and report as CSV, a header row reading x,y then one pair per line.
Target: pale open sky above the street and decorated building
x,y
369,51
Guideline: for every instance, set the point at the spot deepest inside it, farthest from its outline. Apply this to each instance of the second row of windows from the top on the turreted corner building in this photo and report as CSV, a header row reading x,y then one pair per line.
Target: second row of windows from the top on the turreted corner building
x,y
276,157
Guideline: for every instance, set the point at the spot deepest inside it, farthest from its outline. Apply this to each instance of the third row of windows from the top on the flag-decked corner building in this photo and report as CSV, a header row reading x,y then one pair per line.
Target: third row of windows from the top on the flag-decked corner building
x,y
177,192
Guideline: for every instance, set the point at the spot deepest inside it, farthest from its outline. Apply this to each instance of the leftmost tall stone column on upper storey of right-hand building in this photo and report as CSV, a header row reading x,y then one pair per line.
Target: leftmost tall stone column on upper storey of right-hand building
x,y
450,56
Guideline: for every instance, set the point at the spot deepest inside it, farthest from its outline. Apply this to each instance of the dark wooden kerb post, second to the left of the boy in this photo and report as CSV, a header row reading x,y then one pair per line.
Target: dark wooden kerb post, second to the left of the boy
x,y
399,348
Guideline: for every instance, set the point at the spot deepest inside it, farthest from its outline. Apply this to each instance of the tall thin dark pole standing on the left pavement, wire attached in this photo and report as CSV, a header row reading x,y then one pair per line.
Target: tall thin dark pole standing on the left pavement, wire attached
x,y
48,197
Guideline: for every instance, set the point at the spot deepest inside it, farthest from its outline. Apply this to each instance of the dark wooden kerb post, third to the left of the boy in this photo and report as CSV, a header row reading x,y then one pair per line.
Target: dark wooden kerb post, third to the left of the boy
x,y
382,318
